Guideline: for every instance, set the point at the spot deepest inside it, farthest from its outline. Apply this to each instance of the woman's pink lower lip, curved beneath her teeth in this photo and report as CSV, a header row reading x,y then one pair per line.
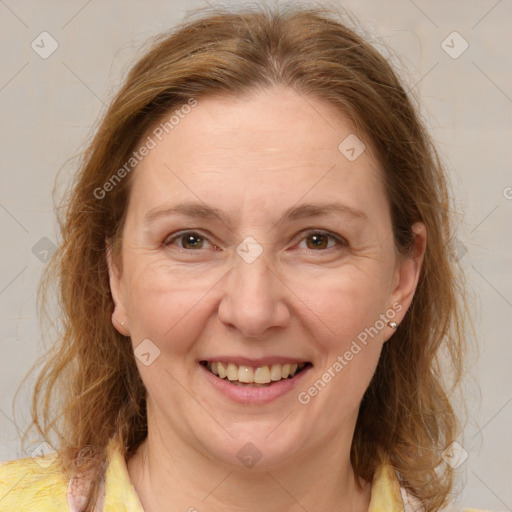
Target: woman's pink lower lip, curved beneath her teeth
x,y
256,395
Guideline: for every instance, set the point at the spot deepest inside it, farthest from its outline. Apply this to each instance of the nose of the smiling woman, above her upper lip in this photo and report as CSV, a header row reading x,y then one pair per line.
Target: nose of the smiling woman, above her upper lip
x,y
254,298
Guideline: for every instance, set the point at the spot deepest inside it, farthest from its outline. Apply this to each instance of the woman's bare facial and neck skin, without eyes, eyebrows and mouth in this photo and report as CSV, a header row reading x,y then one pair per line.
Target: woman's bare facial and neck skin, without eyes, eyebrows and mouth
x,y
279,304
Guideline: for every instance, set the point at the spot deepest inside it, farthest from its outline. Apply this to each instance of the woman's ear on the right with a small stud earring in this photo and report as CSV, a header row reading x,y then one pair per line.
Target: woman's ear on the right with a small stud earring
x,y
408,272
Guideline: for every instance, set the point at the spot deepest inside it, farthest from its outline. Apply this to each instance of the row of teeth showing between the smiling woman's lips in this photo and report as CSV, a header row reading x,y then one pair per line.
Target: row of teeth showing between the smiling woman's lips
x,y
251,376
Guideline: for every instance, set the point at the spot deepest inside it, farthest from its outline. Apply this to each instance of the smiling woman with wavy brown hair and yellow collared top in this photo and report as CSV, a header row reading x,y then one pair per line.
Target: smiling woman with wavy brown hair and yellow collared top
x,y
255,286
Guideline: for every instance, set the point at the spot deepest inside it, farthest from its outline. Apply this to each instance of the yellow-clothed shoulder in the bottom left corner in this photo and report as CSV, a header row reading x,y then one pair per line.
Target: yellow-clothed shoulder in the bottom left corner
x,y
32,484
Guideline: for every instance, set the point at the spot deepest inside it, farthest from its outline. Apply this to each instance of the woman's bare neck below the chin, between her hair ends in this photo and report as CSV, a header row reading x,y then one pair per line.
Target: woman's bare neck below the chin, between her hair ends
x,y
170,475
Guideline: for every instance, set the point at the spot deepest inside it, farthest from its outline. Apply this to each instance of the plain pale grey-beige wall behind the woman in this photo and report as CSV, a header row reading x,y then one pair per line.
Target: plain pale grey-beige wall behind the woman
x,y
49,108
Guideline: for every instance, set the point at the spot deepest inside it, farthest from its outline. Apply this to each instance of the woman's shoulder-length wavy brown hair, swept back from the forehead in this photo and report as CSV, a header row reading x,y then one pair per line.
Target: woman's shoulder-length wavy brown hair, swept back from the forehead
x,y
91,376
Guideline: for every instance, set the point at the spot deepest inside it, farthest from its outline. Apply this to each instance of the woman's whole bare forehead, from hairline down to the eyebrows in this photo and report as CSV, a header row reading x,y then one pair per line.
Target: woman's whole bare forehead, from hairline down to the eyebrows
x,y
264,148
